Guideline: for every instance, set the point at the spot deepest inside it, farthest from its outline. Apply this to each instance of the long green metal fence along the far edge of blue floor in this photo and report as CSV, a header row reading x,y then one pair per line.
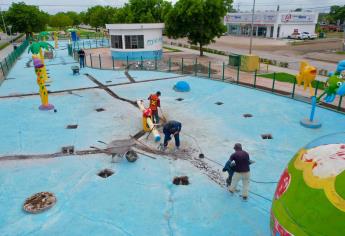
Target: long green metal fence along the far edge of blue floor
x,y
214,70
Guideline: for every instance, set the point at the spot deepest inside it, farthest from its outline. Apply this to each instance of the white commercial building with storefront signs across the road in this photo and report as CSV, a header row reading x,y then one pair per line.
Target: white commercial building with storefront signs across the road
x,y
271,24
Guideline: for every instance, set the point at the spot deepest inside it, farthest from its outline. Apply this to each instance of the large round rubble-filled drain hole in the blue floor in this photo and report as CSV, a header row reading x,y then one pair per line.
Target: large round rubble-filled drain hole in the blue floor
x,y
39,202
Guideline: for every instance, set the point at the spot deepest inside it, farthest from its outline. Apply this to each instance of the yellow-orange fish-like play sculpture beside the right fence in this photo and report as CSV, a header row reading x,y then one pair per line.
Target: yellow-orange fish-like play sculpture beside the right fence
x,y
306,75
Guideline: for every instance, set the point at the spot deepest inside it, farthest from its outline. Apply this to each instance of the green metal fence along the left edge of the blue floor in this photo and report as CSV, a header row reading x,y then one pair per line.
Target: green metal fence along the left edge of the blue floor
x,y
7,63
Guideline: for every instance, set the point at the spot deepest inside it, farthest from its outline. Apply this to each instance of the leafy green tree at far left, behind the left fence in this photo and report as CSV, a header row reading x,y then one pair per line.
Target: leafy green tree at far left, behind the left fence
x,y
25,18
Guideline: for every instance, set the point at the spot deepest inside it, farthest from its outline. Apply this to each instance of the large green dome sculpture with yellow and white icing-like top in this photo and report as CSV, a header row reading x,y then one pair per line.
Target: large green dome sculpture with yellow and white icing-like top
x,y
310,195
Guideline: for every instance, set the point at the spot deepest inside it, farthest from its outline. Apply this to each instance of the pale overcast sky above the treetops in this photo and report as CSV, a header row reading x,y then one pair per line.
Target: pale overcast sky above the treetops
x,y
244,5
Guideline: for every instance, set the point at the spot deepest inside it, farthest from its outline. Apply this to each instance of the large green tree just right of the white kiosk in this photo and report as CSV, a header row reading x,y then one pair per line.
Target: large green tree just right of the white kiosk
x,y
198,20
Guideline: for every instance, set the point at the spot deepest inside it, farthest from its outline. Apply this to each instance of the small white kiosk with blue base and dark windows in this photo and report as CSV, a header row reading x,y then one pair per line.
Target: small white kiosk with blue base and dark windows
x,y
136,41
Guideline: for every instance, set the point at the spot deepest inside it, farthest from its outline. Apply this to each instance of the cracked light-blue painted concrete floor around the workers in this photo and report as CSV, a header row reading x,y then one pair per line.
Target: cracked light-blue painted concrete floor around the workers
x,y
140,198
